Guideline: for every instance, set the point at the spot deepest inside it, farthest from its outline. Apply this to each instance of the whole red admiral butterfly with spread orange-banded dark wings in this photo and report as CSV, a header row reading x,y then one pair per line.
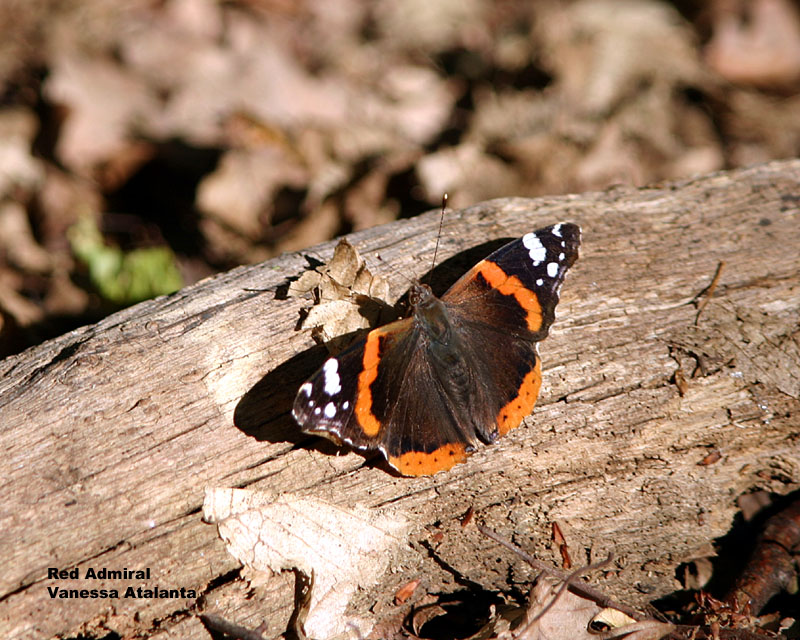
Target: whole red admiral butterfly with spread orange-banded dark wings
x,y
462,368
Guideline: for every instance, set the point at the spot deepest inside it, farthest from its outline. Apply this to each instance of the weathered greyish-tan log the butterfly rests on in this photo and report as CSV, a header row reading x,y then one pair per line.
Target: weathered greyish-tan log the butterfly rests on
x,y
111,433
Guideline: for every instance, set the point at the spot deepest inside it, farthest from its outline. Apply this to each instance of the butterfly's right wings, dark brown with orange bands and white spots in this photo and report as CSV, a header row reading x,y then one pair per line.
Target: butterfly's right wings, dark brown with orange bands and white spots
x,y
502,308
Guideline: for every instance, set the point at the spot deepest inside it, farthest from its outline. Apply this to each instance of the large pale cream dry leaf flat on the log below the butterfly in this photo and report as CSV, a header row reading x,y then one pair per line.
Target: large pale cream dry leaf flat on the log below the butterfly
x,y
345,549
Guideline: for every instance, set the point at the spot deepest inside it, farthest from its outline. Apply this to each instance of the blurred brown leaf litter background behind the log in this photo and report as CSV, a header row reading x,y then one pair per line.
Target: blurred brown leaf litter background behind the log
x,y
147,144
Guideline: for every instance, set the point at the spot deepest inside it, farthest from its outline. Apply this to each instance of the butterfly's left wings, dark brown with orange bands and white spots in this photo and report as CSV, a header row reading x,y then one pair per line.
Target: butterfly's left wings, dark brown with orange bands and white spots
x,y
381,393
